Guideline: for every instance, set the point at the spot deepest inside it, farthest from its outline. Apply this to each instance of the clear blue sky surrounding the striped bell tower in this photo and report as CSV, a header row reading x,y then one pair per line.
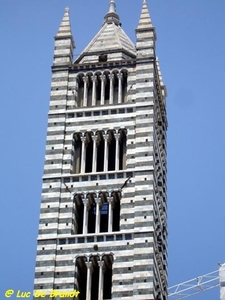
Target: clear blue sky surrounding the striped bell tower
x,y
191,49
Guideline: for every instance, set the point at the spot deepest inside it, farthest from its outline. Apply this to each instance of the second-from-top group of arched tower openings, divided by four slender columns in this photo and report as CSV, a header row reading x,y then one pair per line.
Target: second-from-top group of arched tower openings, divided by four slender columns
x,y
100,152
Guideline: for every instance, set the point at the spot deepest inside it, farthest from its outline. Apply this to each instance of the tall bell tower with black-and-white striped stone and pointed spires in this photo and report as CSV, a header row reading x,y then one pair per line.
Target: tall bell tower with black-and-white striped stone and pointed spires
x,y
103,219
